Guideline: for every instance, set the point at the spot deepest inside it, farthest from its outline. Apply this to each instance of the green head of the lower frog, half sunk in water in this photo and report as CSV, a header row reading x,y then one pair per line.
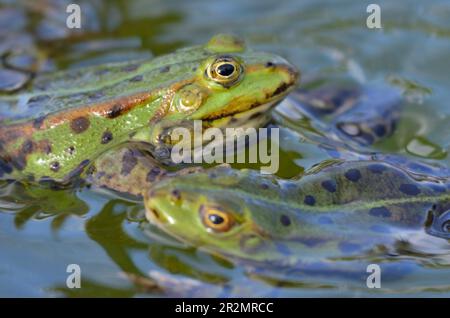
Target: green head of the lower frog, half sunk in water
x,y
218,210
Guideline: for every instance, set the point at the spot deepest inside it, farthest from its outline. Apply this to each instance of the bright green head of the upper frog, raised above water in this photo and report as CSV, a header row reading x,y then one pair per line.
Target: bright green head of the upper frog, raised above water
x,y
222,83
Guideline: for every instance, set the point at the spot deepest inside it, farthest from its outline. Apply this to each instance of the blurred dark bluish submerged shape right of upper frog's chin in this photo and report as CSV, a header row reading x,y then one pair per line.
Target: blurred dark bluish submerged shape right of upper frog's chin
x,y
356,116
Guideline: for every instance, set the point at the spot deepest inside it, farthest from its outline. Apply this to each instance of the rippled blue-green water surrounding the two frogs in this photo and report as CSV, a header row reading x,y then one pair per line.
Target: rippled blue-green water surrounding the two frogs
x,y
119,253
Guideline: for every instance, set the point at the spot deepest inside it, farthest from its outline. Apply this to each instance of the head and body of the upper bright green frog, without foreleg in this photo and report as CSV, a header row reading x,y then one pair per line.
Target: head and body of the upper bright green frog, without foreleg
x,y
65,120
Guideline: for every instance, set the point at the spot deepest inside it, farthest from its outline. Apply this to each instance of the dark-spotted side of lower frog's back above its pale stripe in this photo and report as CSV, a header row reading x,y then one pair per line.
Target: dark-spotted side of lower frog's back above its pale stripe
x,y
313,192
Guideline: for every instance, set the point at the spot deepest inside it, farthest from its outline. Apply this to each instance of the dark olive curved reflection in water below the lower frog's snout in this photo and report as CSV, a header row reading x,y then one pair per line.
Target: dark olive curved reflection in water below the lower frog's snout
x,y
107,229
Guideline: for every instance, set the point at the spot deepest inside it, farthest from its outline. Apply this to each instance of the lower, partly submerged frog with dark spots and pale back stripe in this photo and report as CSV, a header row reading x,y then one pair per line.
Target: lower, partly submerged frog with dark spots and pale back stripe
x,y
341,210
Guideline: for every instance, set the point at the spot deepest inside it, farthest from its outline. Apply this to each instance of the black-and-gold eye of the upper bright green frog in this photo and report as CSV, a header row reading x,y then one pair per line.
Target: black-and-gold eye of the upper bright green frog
x,y
225,71
